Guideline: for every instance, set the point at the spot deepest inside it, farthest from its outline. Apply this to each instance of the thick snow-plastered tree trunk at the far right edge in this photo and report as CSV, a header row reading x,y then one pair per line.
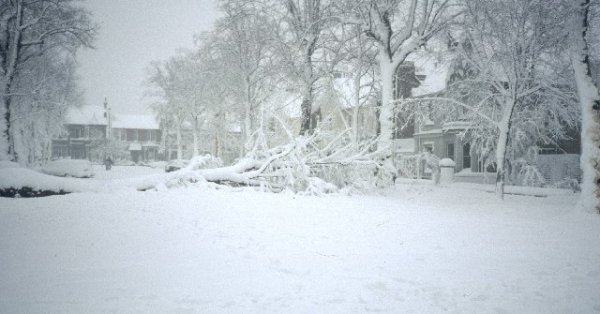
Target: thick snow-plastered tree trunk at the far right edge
x,y
589,100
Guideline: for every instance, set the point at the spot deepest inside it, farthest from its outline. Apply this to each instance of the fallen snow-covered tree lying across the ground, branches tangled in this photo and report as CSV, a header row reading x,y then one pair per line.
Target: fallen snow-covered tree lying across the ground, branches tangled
x,y
323,162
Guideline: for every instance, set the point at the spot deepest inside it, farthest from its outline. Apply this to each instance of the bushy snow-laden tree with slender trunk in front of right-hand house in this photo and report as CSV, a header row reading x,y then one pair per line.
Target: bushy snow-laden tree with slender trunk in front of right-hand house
x,y
515,91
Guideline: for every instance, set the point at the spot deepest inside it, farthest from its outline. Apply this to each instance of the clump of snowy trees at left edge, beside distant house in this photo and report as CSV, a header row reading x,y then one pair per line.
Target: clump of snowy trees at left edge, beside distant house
x,y
38,43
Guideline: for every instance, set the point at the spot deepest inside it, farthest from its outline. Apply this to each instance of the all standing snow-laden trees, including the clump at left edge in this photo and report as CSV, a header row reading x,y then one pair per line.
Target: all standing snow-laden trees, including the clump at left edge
x,y
520,70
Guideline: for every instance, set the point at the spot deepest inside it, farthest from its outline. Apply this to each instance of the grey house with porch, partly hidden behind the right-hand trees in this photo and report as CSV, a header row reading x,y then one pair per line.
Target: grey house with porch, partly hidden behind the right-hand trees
x,y
446,139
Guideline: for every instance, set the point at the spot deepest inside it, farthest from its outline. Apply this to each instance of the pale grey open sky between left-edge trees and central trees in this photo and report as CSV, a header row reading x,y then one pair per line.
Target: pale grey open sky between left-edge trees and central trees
x,y
132,34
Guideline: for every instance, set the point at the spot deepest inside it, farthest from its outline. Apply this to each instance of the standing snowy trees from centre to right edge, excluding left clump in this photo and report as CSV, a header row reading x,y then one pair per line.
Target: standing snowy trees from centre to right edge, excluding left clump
x,y
512,68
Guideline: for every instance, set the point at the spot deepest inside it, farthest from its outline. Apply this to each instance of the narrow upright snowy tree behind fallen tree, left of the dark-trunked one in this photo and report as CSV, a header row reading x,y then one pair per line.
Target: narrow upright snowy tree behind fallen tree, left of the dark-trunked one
x,y
243,38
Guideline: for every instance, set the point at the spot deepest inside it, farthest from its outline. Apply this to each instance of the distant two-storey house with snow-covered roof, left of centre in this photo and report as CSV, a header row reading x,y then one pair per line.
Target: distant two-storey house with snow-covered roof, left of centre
x,y
92,132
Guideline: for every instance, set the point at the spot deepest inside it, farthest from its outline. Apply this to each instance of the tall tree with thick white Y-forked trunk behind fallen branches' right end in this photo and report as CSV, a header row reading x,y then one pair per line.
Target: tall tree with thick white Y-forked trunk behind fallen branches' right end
x,y
398,28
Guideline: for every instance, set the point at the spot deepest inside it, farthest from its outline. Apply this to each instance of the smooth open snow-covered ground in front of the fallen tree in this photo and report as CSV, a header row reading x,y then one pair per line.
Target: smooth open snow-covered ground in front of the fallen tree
x,y
416,249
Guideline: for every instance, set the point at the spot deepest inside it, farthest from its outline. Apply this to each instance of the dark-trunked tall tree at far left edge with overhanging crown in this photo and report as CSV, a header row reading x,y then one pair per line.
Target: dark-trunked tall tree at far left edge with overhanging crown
x,y
28,30
